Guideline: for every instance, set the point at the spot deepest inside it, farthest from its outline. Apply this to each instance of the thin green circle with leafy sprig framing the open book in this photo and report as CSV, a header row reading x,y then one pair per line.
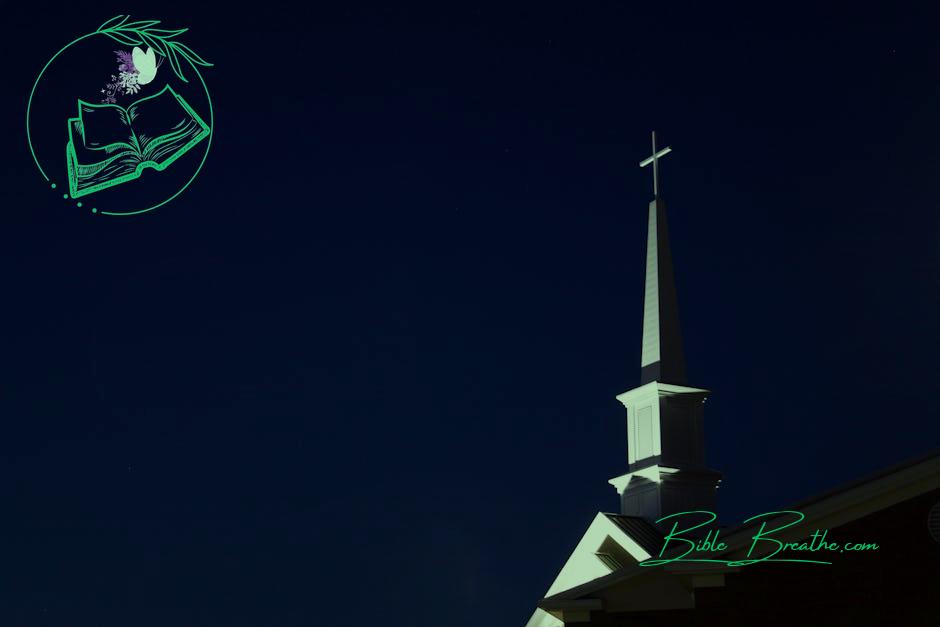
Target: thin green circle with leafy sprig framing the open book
x,y
166,44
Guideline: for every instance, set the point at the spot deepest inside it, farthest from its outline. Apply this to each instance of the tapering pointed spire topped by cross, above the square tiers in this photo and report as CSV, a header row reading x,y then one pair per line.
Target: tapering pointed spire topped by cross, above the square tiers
x,y
663,359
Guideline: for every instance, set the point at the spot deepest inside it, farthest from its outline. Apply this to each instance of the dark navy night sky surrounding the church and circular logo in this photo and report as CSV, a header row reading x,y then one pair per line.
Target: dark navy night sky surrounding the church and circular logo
x,y
362,372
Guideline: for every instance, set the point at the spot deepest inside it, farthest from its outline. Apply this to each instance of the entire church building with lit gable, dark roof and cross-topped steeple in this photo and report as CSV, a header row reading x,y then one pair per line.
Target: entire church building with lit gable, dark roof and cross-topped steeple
x,y
602,582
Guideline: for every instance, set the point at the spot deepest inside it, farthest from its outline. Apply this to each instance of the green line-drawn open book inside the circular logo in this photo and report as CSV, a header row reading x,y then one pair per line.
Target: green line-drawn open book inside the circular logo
x,y
109,145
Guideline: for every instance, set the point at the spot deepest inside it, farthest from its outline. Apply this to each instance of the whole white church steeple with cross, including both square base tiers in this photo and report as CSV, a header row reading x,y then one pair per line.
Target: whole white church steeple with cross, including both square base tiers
x,y
665,425
